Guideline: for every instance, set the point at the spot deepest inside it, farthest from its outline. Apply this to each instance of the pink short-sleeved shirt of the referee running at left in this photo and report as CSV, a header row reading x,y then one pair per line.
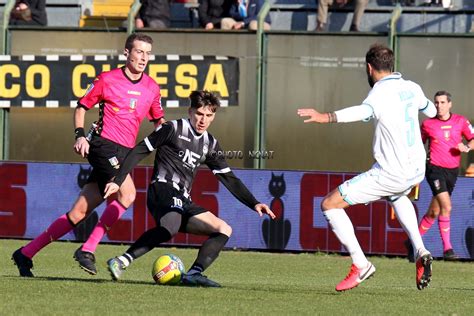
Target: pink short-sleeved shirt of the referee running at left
x,y
123,104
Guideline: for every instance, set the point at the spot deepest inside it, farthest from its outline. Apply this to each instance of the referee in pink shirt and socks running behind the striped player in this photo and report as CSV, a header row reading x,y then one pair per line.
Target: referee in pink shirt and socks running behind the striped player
x,y
125,97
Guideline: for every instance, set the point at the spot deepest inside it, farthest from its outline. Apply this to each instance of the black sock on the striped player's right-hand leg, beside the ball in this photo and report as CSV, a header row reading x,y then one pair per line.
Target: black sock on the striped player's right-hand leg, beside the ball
x,y
209,251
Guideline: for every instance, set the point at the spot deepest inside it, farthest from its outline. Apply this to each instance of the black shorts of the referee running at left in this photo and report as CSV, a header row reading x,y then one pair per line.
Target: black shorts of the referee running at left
x,y
105,157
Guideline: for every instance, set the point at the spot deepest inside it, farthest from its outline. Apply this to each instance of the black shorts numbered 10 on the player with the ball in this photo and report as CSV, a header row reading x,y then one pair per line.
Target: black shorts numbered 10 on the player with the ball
x,y
164,198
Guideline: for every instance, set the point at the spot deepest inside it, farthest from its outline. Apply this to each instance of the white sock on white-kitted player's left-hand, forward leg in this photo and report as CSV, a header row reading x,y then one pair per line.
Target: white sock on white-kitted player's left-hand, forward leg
x,y
342,226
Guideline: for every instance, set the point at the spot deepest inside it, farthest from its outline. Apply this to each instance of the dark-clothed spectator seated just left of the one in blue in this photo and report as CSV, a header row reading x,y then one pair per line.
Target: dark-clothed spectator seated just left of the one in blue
x,y
211,12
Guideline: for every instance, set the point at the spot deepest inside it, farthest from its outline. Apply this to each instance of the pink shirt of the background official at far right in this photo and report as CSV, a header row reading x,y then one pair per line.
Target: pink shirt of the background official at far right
x,y
444,137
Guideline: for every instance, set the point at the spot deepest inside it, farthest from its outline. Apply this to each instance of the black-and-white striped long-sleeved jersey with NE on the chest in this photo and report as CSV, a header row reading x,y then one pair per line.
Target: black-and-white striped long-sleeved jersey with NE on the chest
x,y
180,150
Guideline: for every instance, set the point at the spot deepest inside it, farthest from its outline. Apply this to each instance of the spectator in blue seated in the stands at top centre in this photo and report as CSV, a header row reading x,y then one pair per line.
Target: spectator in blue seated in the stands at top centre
x,y
244,15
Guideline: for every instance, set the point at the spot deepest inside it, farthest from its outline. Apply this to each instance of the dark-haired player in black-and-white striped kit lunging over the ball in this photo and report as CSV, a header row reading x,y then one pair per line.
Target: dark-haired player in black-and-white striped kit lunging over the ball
x,y
182,145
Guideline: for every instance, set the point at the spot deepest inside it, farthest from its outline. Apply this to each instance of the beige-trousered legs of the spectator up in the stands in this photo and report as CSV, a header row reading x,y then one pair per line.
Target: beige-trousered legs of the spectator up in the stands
x,y
323,7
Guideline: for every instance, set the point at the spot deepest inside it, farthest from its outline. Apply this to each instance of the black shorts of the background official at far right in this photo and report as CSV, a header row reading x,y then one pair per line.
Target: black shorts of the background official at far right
x,y
441,179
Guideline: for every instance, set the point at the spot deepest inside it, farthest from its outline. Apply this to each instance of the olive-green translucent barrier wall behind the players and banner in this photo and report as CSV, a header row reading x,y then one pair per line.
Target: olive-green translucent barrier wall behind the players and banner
x,y
302,69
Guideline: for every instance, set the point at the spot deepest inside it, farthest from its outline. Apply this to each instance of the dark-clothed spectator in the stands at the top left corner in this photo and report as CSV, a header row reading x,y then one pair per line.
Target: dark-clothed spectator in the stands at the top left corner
x,y
29,12
